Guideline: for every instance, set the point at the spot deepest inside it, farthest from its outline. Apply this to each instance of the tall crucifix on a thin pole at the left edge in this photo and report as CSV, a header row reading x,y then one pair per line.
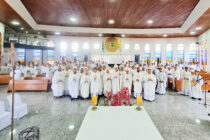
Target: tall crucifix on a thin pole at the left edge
x,y
12,54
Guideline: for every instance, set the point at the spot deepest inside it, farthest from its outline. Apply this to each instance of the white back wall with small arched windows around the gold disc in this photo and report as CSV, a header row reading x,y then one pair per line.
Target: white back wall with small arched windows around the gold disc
x,y
131,41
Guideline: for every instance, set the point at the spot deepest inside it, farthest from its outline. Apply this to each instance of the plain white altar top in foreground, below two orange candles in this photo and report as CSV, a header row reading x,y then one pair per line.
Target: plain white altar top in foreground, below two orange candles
x,y
117,123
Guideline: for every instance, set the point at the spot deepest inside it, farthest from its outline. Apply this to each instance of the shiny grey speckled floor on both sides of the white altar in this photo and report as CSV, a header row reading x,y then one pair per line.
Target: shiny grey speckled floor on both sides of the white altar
x,y
176,117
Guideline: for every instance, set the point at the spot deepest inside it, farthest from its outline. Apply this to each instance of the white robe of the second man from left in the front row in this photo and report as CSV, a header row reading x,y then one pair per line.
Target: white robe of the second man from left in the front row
x,y
74,85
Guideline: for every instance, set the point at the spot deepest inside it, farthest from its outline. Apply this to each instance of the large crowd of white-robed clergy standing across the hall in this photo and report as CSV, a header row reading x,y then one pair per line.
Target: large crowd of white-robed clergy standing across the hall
x,y
81,80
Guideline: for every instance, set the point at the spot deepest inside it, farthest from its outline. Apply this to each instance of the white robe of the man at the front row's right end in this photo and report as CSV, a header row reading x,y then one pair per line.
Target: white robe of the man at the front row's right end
x,y
149,87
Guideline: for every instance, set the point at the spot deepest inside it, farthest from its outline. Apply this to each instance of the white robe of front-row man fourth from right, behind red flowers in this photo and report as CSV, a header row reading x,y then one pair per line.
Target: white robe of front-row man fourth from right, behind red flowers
x,y
115,82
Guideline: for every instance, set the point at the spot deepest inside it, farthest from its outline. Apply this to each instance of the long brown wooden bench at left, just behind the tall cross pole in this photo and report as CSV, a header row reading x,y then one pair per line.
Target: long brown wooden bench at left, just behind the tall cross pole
x,y
29,85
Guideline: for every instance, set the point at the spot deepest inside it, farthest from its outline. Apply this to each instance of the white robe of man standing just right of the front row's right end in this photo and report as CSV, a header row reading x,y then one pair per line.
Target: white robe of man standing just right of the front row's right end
x,y
161,78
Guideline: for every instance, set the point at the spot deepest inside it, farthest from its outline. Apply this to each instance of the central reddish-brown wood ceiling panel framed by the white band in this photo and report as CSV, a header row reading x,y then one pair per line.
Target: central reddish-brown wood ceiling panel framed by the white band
x,y
126,13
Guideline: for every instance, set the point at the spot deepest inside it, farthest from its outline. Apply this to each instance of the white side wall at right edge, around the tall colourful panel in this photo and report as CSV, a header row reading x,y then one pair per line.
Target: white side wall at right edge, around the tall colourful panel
x,y
206,37
